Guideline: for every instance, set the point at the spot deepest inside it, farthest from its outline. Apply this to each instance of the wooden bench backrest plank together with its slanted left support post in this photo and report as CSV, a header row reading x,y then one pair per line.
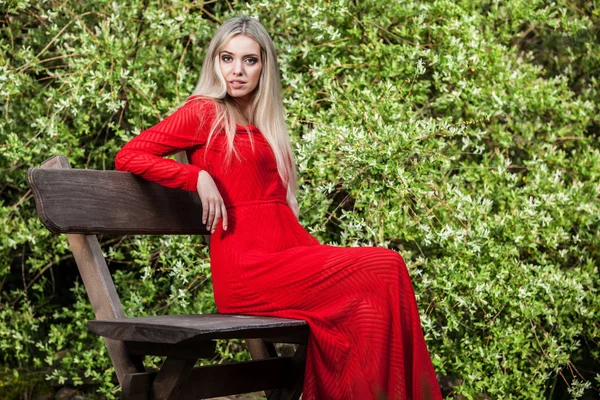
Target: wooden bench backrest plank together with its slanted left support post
x,y
83,203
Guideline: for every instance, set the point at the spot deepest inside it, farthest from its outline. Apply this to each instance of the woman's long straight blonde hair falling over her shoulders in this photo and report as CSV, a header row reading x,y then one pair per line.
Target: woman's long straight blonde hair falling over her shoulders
x,y
266,112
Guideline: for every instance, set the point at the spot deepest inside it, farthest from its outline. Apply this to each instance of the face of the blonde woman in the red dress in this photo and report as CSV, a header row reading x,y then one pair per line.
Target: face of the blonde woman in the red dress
x,y
240,65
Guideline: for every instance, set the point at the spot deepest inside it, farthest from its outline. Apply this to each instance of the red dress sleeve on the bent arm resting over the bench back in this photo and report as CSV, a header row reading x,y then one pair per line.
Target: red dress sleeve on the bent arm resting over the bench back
x,y
185,129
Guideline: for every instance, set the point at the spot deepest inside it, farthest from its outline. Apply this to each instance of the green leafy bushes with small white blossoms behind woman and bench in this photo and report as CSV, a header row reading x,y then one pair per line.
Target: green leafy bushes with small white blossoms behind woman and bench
x,y
463,134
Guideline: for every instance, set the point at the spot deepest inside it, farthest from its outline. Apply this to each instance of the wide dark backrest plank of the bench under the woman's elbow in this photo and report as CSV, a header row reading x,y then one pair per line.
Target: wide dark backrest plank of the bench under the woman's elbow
x,y
99,202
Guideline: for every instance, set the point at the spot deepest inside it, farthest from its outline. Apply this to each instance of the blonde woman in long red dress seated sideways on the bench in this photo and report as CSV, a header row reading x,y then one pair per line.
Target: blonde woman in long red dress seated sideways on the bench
x,y
366,338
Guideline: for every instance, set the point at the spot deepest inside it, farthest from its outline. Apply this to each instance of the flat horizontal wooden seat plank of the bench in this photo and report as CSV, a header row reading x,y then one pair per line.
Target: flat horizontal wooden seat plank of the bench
x,y
188,328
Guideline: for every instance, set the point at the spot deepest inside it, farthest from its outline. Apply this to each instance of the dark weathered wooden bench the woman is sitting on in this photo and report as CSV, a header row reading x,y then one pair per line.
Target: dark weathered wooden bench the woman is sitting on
x,y
84,203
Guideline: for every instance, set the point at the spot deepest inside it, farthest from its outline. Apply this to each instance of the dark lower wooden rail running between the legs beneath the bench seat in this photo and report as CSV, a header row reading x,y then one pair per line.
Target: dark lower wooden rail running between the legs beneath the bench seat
x,y
218,380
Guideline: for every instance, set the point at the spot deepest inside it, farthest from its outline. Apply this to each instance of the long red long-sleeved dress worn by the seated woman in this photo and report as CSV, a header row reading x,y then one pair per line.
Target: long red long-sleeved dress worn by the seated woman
x,y
358,301
